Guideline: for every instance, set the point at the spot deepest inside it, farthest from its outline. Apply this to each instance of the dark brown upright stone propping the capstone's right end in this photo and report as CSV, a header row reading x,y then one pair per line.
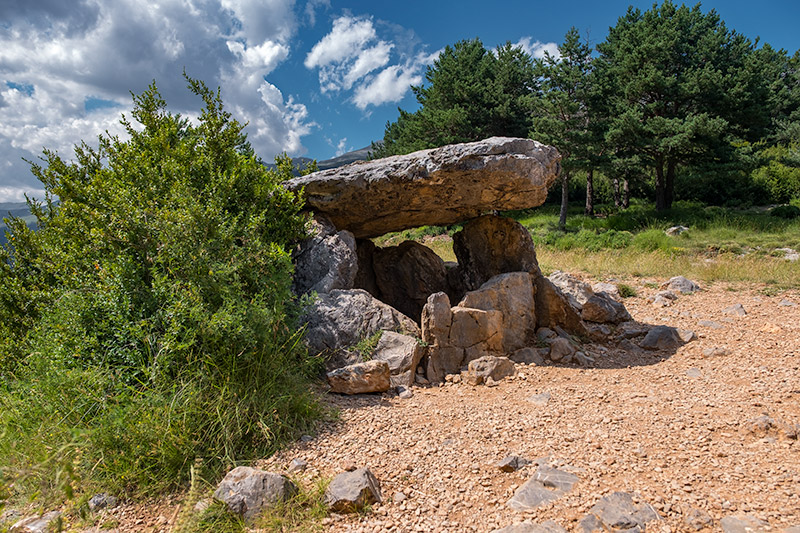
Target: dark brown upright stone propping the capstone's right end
x,y
492,245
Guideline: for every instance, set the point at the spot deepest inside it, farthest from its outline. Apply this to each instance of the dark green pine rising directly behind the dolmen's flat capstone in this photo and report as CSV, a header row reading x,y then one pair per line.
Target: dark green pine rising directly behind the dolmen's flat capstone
x,y
472,94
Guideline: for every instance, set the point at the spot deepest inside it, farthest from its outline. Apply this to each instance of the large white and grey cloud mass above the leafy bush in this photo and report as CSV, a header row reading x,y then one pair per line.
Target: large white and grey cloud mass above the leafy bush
x,y
66,74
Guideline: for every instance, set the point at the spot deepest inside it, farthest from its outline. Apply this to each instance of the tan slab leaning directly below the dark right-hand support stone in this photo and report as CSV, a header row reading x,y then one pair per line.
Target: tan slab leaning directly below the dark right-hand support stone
x,y
510,294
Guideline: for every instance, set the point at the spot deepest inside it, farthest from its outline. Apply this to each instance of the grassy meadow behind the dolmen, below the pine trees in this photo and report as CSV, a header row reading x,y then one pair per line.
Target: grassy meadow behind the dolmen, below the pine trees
x,y
724,244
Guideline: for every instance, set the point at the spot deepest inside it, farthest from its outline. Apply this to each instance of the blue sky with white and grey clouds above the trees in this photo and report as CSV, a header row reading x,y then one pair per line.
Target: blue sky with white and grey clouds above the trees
x,y
312,77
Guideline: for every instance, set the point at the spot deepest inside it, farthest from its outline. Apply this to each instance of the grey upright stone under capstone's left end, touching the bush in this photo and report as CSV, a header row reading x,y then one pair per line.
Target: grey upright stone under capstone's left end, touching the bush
x,y
325,261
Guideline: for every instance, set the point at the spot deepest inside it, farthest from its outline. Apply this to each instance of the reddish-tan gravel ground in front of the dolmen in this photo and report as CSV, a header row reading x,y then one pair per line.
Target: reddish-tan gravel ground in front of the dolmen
x,y
712,426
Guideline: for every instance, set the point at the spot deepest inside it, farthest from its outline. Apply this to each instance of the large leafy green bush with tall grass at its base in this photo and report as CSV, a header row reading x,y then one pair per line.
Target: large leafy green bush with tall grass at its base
x,y
149,322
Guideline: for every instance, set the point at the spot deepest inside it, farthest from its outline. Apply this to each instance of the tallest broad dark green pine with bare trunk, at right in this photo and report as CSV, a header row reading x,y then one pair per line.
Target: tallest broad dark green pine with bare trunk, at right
x,y
680,84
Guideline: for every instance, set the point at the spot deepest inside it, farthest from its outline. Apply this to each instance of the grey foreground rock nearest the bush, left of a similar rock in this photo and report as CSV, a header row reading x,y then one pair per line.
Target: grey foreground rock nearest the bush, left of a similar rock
x,y
248,491
